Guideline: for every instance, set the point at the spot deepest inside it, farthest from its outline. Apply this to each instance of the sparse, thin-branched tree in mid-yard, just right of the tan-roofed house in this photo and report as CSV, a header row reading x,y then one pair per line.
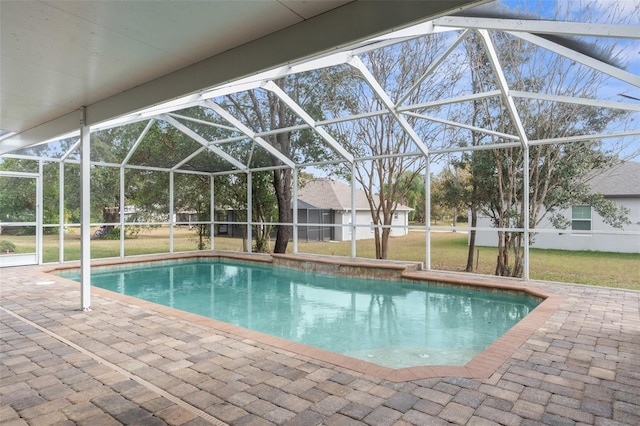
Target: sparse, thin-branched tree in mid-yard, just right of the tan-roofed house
x,y
389,176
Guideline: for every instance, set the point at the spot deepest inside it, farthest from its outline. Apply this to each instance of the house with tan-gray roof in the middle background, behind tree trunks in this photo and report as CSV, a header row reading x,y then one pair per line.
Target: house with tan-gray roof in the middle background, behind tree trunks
x,y
324,213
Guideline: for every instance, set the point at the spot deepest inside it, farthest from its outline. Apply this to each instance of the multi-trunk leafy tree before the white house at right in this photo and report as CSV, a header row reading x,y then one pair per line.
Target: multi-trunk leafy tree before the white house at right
x,y
557,172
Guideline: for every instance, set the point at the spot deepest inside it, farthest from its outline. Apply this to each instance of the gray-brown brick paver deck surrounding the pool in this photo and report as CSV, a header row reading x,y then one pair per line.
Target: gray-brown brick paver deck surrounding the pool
x,y
127,362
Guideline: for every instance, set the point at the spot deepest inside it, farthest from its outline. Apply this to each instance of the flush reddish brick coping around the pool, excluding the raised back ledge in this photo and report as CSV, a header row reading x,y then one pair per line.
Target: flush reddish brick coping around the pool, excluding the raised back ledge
x,y
482,365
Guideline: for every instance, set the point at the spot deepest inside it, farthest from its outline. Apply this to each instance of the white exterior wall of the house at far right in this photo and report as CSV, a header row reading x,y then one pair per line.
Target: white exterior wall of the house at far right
x,y
574,240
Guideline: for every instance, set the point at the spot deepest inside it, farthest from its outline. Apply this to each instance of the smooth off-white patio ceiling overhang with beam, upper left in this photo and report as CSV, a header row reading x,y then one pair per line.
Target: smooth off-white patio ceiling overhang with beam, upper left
x,y
119,57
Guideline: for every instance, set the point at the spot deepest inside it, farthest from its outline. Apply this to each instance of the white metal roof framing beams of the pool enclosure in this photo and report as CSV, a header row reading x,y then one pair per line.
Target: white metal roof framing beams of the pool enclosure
x,y
530,30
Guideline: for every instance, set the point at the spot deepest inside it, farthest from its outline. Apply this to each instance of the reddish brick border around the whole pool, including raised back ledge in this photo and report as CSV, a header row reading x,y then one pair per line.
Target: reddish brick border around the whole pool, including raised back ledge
x,y
482,365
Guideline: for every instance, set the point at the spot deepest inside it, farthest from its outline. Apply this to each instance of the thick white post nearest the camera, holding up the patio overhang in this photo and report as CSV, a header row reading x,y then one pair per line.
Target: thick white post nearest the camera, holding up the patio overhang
x,y
85,213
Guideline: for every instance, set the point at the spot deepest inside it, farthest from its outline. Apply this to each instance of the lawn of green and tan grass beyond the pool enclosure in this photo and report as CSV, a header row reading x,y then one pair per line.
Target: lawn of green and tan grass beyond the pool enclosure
x,y
448,252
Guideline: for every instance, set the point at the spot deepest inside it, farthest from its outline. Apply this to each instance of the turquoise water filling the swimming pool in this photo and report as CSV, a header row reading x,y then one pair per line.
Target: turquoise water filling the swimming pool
x,y
395,324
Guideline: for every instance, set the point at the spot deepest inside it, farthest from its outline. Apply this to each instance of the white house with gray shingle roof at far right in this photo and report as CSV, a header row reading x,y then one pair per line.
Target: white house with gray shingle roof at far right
x,y
588,231
